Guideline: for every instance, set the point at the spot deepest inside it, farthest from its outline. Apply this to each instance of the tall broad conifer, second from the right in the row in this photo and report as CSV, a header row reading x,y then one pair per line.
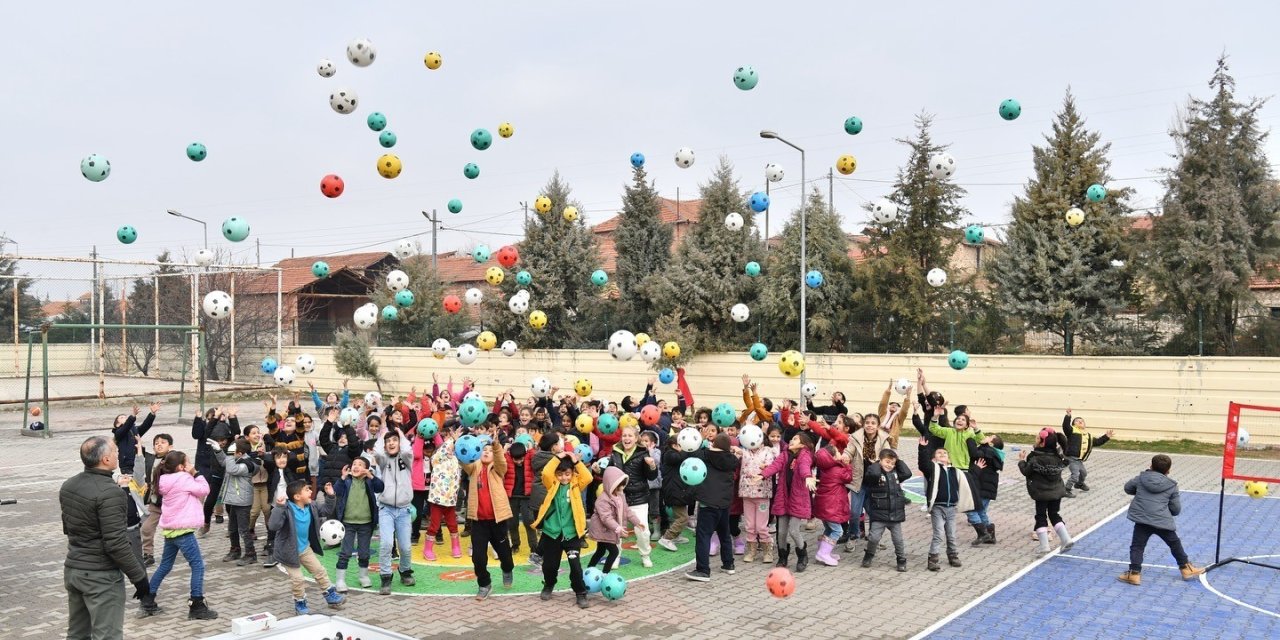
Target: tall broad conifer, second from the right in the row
x,y
1055,277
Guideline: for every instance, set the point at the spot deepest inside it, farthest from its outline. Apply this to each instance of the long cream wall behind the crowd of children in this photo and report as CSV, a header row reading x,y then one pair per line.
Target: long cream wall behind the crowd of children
x,y
1140,397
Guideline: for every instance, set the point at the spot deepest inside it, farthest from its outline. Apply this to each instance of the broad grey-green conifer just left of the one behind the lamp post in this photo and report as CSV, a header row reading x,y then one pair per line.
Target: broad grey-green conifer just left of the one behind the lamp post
x,y
707,275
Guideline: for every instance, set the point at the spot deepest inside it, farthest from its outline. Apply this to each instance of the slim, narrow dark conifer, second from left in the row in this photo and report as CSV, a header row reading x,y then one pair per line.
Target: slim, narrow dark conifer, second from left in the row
x,y
643,244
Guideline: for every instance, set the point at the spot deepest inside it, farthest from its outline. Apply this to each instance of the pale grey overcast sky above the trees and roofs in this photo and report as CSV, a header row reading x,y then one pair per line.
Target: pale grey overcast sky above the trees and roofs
x,y
586,86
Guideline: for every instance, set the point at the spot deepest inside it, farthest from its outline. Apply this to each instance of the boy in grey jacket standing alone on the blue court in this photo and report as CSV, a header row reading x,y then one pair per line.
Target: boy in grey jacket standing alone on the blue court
x,y
1155,505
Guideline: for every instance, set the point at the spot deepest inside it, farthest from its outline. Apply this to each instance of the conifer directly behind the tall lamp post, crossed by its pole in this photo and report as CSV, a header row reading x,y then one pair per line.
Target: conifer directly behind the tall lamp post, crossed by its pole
x,y
779,310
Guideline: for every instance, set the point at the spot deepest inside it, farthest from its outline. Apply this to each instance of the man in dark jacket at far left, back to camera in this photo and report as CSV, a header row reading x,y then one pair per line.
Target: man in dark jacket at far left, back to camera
x,y
98,547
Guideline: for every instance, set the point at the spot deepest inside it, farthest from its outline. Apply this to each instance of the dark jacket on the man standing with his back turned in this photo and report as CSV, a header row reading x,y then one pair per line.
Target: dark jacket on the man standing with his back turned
x,y
95,514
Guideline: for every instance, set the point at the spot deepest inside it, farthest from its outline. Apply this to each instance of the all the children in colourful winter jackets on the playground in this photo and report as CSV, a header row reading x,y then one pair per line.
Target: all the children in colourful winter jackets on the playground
x,y
386,467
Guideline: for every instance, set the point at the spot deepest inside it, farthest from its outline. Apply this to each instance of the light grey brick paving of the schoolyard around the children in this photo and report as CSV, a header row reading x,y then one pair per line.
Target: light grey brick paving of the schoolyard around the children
x,y
830,602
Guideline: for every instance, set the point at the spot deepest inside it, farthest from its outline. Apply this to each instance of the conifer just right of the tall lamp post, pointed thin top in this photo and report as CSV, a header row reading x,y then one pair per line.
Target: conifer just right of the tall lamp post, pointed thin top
x,y
906,314
